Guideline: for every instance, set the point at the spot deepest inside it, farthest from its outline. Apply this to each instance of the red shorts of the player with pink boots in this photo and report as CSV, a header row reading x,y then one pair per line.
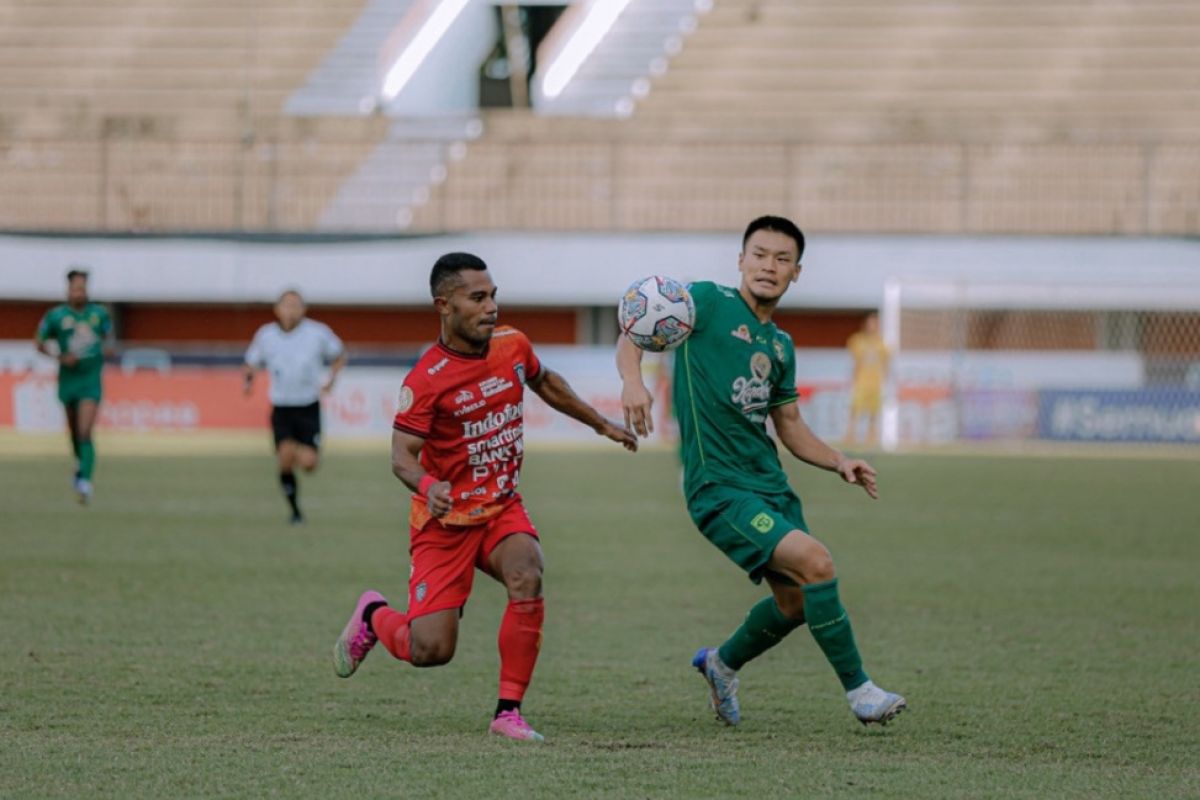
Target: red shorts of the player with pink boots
x,y
445,560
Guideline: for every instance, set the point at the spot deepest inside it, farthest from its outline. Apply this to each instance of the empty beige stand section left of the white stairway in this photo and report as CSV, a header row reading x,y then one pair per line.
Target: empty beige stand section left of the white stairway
x,y
166,116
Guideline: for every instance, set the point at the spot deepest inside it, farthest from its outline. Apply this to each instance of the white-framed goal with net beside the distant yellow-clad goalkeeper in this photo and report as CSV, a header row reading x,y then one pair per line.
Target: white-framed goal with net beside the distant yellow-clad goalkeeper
x,y
1027,363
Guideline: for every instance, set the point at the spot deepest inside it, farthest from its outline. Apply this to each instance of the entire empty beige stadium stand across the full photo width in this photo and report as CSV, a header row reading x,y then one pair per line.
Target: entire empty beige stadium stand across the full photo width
x,y
914,116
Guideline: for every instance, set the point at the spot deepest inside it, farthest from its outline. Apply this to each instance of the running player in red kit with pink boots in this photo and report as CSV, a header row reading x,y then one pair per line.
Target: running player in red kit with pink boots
x,y
458,444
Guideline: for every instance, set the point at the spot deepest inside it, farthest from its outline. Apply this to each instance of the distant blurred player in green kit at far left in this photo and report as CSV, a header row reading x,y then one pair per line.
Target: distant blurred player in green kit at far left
x,y
82,330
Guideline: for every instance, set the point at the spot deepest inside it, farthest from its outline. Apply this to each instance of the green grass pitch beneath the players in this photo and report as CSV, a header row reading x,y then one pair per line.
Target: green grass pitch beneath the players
x,y
1042,617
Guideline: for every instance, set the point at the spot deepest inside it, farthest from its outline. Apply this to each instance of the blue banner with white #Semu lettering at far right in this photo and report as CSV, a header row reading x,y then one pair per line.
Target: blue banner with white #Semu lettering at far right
x,y
1145,416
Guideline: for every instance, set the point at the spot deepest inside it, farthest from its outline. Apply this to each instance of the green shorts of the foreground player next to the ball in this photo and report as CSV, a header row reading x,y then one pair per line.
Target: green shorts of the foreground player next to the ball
x,y
746,526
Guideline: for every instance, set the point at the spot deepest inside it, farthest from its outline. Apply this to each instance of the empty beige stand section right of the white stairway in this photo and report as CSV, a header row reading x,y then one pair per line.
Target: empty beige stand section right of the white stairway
x,y
981,117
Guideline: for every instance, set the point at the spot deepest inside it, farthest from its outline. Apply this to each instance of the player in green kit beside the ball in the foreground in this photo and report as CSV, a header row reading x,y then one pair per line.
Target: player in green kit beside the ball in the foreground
x,y
736,371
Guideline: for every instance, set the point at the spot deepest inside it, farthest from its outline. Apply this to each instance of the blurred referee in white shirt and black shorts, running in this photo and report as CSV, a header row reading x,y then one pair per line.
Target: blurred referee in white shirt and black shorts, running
x,y
296,351
